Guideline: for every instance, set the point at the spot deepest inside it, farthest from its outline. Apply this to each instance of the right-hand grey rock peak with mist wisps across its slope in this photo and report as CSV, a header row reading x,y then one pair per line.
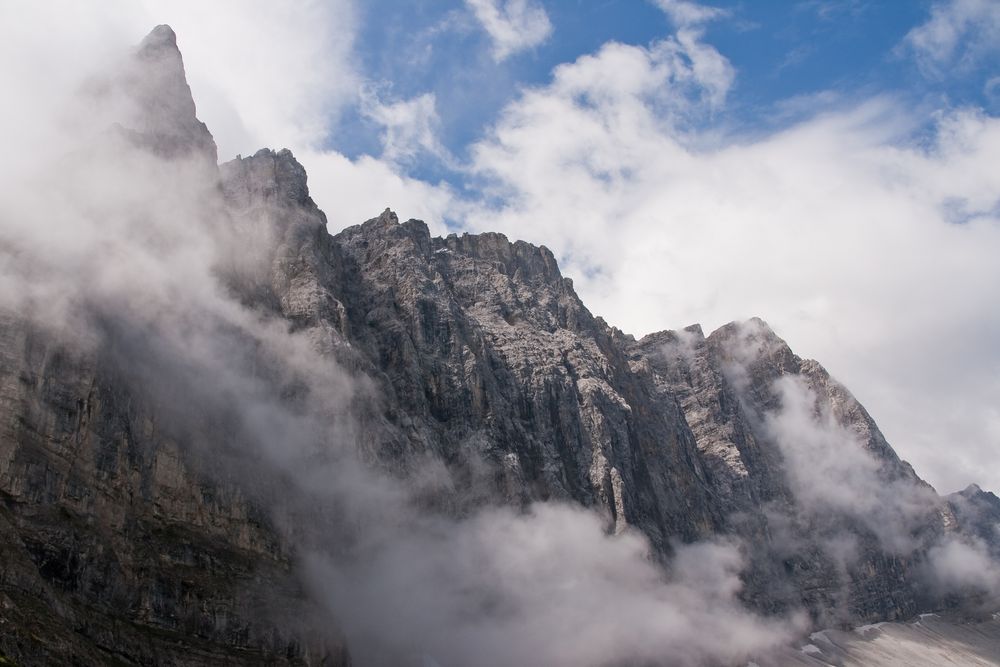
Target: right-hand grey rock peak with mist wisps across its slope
x,y
726,385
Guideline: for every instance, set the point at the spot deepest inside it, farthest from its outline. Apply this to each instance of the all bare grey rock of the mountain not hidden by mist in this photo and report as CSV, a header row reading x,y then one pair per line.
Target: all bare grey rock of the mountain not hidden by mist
x,y
123,541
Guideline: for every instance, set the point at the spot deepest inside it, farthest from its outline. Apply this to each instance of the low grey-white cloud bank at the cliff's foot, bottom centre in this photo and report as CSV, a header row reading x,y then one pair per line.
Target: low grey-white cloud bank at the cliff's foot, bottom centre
x,y
546,587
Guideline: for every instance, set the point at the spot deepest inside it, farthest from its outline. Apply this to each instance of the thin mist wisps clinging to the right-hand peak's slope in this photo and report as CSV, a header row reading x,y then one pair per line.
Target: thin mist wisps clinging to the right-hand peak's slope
x,y
854,499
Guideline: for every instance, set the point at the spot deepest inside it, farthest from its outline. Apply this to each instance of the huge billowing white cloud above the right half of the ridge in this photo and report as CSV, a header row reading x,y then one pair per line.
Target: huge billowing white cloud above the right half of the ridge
x,y
838,230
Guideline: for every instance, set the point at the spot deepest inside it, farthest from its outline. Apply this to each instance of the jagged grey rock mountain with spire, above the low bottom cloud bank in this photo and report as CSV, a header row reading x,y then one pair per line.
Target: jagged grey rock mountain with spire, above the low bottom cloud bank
x,y
221,390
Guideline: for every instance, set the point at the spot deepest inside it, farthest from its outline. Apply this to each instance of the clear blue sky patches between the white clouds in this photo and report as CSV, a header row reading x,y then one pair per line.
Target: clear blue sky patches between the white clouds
x,y
791,59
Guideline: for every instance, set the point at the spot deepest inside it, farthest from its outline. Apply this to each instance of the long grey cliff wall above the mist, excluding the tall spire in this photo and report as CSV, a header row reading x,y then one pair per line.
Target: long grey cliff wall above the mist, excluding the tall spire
x,y
485,358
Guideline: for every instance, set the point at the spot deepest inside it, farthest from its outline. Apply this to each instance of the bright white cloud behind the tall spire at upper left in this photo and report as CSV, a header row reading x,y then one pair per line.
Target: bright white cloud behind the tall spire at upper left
x,y
261,75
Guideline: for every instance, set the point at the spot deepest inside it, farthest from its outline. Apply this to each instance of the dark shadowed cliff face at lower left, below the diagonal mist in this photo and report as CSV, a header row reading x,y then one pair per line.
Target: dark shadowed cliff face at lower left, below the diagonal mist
x,y
114,550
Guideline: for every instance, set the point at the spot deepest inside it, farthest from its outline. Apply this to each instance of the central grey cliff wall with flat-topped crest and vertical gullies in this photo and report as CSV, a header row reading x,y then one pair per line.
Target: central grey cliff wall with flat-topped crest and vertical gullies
x,y
486,352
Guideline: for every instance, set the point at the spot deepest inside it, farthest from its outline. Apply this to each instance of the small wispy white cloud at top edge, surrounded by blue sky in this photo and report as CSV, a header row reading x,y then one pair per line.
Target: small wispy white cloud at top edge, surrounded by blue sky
x,y
513,25
